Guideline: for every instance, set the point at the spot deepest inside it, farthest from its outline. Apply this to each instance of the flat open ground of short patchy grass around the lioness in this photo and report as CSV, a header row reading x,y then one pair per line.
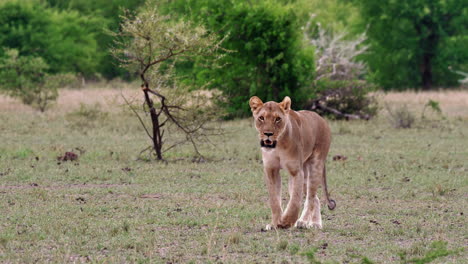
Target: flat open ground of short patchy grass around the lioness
x,y
401,193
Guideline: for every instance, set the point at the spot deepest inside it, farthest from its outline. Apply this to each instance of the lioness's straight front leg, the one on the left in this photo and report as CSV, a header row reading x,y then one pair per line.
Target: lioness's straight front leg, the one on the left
x,y
273,181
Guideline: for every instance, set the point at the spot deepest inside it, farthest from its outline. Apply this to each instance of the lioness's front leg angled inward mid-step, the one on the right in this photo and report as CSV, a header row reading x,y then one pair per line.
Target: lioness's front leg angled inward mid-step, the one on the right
x,y
296,185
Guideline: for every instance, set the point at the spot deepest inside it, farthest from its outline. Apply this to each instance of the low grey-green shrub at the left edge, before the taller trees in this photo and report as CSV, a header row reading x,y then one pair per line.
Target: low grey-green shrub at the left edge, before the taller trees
x,y
26,78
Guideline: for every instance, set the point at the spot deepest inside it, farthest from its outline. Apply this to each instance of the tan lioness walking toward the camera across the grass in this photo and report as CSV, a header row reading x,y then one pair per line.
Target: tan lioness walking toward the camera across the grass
x,y
298,142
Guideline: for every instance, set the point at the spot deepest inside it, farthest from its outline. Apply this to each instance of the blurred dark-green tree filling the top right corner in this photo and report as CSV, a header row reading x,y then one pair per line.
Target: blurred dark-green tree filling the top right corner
x,y
415,43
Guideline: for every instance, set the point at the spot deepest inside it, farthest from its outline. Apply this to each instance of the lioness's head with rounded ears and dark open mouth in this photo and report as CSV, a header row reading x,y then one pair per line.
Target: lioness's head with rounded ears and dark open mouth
x,y
271,119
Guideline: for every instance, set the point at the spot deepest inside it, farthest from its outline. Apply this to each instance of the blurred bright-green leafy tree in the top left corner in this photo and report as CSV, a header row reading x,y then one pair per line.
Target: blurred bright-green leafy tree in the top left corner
x,y
64,39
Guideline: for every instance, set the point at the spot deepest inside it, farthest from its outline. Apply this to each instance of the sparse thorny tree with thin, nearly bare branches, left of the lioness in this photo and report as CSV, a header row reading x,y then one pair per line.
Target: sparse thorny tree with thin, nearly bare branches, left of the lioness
x,y
151,44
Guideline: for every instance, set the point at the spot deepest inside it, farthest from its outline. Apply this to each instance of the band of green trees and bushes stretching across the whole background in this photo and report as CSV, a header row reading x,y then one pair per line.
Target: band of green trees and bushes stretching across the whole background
x,y
411,44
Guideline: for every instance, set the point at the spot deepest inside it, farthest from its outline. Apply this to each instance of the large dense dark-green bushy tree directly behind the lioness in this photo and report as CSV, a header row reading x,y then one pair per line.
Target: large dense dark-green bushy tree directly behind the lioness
x,y
267,58
